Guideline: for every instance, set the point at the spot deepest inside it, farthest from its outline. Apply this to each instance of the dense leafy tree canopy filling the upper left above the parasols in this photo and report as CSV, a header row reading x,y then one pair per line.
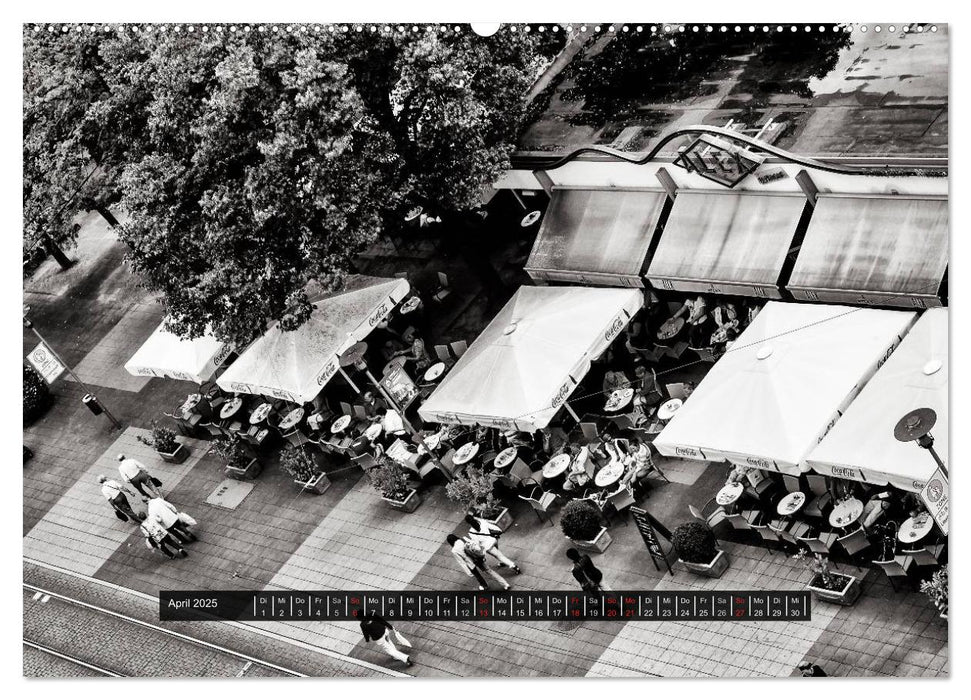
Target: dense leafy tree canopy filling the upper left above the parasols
x,y
253,162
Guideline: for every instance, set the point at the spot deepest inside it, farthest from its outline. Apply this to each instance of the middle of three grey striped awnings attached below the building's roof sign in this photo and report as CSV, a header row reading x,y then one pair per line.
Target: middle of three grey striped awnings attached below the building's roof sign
x,y
726,243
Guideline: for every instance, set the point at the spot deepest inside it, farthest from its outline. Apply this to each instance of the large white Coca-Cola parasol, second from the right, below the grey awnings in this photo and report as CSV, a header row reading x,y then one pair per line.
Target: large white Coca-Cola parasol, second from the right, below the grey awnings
x,y
782,385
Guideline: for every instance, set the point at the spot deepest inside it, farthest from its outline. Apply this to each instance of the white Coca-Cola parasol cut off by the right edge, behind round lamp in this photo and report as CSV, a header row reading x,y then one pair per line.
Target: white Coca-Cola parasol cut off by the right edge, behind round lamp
x,y
861,446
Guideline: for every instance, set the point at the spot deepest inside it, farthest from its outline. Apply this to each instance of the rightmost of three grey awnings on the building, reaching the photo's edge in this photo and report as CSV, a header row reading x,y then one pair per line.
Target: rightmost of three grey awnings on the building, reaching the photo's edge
x,y
887,250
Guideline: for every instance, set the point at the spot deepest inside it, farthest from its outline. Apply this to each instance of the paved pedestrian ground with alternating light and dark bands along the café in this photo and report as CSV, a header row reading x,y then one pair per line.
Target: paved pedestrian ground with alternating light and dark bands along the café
x,y
349,538
